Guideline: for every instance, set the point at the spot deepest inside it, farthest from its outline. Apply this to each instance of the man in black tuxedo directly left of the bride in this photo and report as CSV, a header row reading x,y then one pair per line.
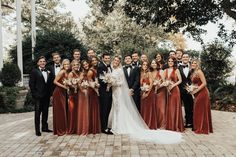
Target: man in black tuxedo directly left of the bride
x,y
105,97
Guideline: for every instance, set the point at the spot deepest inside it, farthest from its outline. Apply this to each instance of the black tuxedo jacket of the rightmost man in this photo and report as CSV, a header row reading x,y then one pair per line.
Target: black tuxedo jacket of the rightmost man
x,y
185,80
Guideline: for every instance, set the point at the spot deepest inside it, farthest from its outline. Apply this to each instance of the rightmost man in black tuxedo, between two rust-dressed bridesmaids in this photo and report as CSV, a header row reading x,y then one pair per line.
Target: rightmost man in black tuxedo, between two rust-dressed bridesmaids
x,y
185,96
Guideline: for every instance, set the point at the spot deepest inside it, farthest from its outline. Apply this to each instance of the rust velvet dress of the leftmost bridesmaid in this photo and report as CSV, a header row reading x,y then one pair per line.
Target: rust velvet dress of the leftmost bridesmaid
x,y
60,109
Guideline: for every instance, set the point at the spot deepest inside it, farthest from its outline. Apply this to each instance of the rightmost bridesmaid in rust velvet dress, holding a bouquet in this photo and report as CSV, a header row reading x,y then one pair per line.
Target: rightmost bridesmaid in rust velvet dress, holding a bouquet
x,y
202,121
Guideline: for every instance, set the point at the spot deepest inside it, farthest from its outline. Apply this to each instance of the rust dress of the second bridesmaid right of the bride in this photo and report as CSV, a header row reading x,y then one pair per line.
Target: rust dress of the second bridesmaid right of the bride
x,y
160,102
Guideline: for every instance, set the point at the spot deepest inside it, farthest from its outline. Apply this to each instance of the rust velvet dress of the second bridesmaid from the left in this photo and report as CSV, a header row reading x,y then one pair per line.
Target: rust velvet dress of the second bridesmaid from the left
x,y
72,109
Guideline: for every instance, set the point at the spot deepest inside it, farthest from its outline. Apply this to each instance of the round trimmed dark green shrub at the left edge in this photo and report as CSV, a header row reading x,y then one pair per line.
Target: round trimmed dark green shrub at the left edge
x,y
10,74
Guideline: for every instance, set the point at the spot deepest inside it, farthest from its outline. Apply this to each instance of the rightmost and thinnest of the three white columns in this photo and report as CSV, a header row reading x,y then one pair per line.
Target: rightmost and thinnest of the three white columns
x,y
33,27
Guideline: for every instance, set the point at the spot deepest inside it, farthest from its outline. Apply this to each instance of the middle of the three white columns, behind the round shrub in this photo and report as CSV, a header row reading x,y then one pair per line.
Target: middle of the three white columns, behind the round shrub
x,y
19,39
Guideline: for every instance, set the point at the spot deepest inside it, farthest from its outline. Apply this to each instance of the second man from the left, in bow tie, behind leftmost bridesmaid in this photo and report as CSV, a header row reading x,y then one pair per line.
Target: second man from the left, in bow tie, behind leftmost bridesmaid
x,y
56,67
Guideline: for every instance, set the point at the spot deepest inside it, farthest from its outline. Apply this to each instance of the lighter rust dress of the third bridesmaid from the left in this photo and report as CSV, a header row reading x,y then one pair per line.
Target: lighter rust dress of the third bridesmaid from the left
x,y
83,111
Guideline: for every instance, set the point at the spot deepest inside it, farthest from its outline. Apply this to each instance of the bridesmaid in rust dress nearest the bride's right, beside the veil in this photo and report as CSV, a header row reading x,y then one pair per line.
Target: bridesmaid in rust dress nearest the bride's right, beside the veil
x,y
148,109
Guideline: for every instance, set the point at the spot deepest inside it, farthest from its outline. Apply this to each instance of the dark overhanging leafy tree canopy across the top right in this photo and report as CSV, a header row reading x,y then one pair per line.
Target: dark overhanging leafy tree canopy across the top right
x,y
175,15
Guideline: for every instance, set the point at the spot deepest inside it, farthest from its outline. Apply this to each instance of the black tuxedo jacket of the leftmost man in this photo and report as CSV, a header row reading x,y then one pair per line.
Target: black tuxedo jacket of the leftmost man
x,y
39,88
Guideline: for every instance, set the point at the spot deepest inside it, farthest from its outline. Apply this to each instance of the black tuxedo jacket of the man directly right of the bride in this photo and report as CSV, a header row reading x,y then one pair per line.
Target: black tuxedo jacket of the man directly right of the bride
x,y
133,79
